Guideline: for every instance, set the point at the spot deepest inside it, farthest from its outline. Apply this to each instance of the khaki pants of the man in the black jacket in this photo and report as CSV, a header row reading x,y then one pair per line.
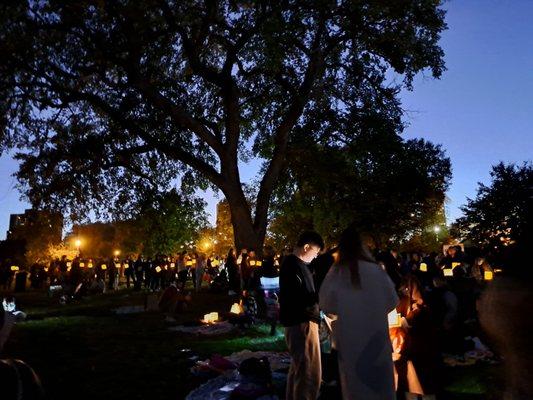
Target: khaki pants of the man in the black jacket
x,y
305,373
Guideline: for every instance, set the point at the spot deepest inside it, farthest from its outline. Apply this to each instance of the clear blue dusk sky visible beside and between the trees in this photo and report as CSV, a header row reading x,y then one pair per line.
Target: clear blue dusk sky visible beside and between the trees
x,y
481,110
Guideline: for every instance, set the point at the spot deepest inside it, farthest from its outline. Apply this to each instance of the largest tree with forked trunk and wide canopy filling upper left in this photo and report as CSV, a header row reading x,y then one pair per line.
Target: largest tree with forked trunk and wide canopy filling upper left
x,y
107,97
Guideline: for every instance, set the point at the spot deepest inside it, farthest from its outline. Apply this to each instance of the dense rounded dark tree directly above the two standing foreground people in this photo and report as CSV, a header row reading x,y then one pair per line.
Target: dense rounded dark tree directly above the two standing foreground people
x,y
393,189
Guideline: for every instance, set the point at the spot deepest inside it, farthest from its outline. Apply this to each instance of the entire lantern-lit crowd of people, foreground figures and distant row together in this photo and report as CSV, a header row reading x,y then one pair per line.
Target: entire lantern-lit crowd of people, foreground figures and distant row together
x,y
343,295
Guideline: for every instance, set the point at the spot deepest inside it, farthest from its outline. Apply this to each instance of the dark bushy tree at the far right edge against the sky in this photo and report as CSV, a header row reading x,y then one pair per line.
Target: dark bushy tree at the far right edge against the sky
x,y
500,217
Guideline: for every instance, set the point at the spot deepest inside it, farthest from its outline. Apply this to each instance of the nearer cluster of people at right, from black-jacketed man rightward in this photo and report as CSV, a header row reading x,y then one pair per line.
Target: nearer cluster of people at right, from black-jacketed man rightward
x,y
353,294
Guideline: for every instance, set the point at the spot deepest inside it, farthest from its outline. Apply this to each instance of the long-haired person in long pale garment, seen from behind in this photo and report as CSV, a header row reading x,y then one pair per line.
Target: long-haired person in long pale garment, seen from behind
x,y
360,294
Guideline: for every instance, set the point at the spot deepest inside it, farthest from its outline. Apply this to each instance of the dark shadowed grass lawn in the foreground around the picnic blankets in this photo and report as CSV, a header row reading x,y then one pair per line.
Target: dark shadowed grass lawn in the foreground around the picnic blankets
x,y
85,351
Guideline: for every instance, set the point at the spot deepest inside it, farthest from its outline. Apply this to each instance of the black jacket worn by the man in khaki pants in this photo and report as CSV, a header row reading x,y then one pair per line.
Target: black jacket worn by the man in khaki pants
x,y
298,299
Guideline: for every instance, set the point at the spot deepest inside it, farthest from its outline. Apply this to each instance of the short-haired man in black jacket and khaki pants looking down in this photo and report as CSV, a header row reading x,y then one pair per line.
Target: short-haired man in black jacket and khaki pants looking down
x,y
300,315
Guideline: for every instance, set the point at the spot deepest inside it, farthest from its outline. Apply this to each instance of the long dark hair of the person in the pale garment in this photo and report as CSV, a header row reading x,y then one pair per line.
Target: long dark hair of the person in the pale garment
x,y
351,251
